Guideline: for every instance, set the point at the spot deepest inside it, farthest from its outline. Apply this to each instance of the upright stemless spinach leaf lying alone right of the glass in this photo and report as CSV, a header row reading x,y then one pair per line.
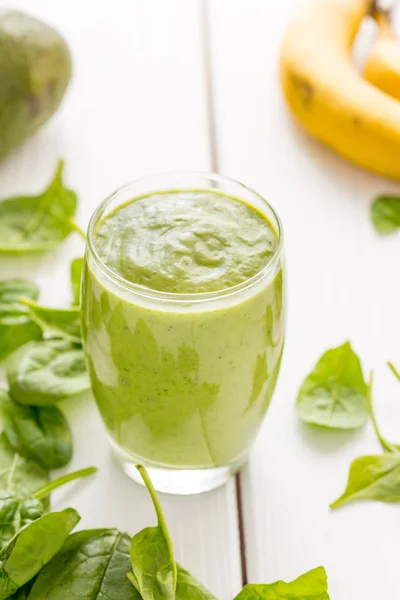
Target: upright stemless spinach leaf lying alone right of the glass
x,y
334,394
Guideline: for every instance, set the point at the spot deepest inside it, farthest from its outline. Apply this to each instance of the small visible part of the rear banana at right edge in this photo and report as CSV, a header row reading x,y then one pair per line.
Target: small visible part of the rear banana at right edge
x,y
383,65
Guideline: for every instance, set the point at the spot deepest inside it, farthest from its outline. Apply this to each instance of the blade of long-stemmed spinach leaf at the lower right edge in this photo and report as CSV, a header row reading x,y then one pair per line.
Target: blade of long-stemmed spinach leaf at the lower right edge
x,y
373,478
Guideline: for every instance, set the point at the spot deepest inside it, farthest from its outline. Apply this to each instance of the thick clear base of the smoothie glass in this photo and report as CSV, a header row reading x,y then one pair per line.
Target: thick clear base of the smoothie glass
x,y
176,481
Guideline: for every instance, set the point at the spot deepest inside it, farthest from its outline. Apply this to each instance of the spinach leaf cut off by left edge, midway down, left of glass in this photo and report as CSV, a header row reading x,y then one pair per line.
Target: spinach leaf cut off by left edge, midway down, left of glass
x,y
16,326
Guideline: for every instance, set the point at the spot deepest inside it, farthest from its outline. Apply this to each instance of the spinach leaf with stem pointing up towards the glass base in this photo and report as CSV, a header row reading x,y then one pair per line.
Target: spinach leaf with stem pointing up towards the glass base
x,y
153,564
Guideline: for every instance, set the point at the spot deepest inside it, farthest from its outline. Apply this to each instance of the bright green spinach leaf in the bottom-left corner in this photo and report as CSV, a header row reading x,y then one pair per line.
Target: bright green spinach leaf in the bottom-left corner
x,y
32,548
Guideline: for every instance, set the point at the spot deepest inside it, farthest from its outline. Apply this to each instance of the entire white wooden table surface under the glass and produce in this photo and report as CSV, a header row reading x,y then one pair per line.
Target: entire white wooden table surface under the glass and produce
x,y
186,84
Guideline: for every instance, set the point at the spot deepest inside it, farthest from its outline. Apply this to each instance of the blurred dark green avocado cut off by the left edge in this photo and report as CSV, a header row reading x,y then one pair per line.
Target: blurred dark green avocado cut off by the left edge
x,y
35,69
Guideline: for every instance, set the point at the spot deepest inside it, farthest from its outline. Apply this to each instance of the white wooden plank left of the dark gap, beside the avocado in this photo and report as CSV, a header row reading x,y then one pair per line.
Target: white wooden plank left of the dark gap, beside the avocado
x,y
136,106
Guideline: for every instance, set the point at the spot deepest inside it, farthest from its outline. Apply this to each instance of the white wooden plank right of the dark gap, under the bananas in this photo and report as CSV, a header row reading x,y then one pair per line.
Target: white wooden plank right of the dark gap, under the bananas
x,y
343,284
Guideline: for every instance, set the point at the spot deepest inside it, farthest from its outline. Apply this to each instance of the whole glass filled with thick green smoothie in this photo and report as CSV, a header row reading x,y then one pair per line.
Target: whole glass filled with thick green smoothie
x,y
183,319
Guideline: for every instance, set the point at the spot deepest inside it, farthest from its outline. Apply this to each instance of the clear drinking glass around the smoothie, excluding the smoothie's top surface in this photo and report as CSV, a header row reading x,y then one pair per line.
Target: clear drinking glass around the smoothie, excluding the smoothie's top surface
x,y
183,381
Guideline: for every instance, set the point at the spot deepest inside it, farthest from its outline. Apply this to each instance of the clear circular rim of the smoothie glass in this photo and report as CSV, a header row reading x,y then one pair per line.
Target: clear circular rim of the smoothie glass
x,y
172,296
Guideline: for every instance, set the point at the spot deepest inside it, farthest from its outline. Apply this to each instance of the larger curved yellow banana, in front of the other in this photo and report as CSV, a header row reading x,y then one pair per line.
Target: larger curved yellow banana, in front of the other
x,y
327,95
